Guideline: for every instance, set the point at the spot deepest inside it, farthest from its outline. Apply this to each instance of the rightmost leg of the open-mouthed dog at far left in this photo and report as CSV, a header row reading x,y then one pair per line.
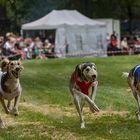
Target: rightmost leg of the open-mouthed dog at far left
x,y
16,104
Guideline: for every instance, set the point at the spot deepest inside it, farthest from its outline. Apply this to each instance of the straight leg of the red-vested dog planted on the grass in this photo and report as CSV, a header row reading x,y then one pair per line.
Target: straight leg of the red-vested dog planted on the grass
x,y
79,103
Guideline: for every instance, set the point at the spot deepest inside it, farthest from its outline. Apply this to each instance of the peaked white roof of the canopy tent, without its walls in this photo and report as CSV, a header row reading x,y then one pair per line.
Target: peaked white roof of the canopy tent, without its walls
x,y
59,18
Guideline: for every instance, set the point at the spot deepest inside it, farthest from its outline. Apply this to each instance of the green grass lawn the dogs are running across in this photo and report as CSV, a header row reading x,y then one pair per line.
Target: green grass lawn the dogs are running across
x,y
44,108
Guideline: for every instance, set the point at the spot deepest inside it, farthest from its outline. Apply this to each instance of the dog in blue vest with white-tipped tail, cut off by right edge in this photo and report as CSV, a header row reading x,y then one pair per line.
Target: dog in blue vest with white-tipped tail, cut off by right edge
x,y
133,78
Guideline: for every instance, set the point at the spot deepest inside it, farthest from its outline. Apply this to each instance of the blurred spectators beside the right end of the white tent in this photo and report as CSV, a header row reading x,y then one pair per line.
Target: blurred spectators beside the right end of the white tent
x,y
127,45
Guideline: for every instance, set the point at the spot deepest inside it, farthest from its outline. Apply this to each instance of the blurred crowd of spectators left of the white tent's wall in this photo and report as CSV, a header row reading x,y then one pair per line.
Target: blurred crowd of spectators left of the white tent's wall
x,y
25,48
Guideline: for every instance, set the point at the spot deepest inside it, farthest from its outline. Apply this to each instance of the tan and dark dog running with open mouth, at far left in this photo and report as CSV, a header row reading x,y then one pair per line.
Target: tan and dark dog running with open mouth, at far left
x,y
10,87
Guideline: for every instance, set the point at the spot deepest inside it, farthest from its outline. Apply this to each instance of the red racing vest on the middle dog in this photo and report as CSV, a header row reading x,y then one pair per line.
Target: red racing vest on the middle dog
x,y
84,86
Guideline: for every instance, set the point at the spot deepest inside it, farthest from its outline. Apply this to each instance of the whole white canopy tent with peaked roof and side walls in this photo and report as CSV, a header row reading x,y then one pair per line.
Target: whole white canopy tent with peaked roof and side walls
x,y
75,33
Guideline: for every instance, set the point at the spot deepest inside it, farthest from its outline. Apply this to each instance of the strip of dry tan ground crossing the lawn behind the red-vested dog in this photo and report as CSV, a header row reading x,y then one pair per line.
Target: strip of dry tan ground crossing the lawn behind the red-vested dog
x,y
69,111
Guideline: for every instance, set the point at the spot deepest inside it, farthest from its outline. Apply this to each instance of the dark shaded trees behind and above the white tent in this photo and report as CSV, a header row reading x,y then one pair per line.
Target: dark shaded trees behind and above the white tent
x,y
14,13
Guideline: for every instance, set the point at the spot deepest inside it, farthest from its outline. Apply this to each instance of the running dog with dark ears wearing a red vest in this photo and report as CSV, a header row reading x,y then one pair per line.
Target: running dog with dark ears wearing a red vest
x,y
84,77
